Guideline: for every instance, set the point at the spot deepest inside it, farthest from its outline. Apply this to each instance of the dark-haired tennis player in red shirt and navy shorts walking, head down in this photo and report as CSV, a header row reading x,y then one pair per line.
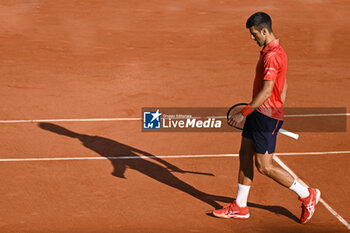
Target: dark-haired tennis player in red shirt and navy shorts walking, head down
x,y
264,117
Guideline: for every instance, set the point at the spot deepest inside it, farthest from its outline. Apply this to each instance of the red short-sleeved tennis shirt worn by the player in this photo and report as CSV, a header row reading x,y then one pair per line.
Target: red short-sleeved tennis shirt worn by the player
x,y
272,65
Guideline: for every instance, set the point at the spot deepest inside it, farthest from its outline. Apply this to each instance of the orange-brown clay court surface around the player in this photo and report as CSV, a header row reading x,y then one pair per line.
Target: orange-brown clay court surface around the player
x,y
108,59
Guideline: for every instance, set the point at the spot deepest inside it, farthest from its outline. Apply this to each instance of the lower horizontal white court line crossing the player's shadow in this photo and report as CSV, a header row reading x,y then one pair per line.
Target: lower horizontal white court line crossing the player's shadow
x,y
160,156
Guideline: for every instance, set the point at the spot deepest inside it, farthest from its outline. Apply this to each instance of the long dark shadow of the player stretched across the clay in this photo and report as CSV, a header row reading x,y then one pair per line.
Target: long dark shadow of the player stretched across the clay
x,y
119,155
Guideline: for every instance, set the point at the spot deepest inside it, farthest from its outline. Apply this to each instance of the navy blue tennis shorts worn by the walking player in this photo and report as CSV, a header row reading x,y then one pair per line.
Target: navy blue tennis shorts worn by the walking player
x,y
263,131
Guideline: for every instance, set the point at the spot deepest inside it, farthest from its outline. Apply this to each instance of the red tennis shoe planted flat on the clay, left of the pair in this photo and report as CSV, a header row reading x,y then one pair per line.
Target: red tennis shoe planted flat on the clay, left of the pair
x,y
232,210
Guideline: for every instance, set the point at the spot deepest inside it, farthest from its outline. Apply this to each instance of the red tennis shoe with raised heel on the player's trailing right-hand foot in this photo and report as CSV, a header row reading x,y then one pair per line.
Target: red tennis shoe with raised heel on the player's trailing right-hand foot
x,y
308,205
